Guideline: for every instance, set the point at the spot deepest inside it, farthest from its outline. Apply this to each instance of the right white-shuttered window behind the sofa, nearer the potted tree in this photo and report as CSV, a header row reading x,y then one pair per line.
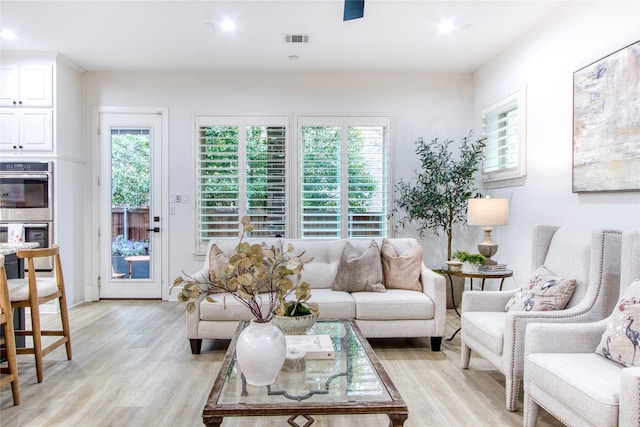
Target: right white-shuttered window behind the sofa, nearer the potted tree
x,y
334,148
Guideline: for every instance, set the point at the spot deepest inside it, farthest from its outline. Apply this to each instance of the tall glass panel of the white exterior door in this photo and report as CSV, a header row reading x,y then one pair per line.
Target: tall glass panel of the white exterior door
x,y
130,196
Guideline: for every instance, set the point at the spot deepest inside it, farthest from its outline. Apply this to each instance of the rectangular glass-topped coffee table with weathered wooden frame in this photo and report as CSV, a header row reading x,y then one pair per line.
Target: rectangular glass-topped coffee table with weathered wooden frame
x,y
352,382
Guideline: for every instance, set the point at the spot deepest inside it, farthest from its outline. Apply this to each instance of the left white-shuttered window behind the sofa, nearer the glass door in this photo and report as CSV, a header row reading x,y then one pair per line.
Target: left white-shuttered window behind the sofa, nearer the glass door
x,y
241,171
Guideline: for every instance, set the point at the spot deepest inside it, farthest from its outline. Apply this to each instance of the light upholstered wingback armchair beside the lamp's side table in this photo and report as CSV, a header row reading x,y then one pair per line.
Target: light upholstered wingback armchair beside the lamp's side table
x,y
592,258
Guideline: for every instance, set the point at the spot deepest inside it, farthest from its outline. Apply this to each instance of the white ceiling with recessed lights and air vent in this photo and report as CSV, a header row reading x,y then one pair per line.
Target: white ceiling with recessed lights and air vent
x,y
394,35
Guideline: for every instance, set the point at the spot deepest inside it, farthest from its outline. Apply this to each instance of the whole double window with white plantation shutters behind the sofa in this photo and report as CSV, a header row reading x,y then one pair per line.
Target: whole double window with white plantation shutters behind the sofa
x,y
333,181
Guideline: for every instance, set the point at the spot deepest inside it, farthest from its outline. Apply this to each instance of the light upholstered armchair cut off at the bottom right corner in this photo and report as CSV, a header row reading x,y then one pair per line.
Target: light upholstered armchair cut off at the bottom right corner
x,y
563,374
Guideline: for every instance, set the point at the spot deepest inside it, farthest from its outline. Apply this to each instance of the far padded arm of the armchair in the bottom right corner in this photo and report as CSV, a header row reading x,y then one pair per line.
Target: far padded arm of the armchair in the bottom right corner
x,y
563,337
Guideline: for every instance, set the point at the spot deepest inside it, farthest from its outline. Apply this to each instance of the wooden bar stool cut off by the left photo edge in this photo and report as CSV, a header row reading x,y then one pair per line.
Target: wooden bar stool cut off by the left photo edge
x,y
8,339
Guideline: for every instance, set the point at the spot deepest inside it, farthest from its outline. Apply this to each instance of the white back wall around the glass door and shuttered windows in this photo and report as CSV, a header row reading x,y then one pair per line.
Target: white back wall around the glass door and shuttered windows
x,y
422,105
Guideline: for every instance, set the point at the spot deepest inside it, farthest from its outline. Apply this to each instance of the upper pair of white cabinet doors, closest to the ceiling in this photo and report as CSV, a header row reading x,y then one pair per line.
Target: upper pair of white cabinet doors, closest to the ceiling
x,y
26,85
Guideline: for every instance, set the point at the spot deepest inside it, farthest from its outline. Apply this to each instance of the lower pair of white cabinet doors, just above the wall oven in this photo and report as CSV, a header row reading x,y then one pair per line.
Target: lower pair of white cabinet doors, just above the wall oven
x,y
26,129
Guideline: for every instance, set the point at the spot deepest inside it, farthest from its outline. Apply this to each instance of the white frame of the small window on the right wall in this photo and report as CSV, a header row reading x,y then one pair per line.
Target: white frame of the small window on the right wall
x,y
507,177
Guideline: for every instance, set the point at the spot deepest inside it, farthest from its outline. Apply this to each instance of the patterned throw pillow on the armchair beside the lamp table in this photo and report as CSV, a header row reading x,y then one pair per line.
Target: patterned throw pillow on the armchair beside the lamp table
x,y
545,292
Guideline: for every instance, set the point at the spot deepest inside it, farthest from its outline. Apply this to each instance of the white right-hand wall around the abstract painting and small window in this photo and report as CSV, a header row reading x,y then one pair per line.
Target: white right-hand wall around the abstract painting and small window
x,y
545,61
